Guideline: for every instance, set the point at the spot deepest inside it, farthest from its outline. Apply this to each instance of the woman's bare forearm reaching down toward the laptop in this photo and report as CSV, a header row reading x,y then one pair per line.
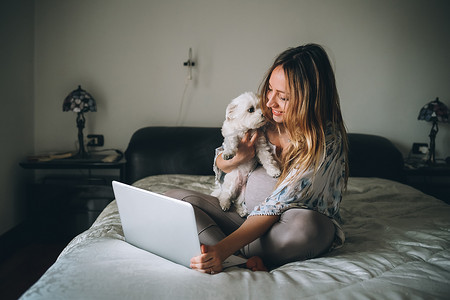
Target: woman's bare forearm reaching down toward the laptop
x,y
250,230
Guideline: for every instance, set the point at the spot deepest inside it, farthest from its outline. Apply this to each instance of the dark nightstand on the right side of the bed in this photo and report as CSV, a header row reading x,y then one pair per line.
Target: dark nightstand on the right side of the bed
x,y
433,180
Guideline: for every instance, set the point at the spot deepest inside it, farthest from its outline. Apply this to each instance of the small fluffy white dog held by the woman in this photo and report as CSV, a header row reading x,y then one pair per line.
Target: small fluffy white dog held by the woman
x,y
243,114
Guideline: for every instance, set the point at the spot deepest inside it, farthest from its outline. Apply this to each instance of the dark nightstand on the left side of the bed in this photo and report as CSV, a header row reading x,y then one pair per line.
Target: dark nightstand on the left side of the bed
x,y
68,197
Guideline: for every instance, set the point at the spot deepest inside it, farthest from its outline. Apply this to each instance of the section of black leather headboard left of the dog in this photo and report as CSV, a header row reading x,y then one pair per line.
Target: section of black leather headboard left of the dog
x,y
171,150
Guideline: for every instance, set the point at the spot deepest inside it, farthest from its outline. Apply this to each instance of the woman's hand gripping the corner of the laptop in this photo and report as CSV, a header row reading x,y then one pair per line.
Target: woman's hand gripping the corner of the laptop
x,y
208,262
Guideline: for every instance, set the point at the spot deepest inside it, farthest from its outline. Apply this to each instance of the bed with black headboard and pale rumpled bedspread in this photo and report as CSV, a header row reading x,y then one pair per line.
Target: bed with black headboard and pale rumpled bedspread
x,y
397,243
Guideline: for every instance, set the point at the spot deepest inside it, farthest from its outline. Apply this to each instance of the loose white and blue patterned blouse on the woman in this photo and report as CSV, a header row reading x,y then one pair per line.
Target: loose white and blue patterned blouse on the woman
x,y
320,191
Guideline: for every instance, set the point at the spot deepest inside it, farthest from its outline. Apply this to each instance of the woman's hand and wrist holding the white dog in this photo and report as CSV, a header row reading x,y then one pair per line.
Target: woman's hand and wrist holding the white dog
x,y
245,152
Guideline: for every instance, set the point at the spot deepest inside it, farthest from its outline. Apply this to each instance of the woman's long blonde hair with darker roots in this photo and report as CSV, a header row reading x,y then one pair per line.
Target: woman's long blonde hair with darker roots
x,y
313,105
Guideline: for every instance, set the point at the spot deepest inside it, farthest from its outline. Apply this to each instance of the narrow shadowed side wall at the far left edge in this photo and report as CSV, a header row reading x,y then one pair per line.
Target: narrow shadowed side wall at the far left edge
x,y
16,100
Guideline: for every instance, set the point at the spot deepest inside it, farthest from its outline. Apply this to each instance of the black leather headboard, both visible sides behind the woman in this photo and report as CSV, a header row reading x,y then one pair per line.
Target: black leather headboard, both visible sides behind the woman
x,y
190,150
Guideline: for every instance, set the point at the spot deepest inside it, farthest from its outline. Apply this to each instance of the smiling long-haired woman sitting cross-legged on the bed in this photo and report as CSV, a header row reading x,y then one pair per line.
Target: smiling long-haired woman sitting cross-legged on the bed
x,y
296,216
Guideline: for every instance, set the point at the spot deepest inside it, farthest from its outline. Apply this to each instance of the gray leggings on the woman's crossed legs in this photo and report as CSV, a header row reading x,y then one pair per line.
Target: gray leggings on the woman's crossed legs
x,y
299,234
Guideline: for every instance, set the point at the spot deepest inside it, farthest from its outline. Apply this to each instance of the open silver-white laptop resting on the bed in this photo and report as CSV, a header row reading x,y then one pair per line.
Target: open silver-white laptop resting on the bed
x,y
160,224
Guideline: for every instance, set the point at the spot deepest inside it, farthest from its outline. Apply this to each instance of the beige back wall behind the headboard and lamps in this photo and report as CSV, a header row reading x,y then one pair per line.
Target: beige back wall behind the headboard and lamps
x,y
391,57
